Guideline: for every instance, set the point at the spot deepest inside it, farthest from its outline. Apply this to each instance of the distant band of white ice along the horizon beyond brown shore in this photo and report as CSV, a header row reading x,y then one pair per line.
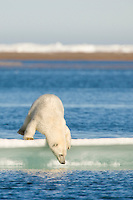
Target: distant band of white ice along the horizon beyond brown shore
x,y
58,47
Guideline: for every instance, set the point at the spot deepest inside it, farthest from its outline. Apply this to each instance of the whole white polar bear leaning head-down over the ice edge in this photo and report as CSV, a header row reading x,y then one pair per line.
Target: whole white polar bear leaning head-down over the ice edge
x,y
46,115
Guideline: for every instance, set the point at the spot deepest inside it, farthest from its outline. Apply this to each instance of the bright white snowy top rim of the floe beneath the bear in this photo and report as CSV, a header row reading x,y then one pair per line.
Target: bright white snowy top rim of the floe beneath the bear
x,y
15,143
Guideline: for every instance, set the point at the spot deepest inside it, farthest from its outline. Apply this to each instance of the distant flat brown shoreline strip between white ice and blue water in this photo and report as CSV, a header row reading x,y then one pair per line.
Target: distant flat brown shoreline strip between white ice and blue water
x,y
98,56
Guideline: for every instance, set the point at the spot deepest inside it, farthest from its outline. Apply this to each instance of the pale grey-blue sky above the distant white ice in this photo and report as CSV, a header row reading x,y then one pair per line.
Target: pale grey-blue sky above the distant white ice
x,y
66,21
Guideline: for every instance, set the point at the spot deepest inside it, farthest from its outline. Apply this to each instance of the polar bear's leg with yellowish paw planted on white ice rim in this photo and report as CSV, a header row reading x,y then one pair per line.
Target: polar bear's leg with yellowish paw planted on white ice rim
x,y
30,130
